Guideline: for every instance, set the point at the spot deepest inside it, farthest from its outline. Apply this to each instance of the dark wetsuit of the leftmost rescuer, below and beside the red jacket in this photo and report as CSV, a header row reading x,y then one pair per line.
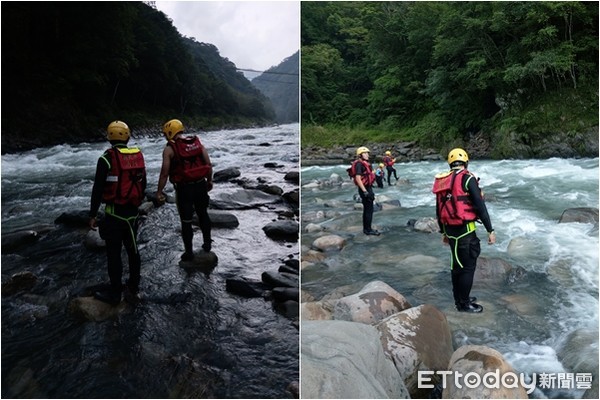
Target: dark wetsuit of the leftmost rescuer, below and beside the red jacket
x,y
118,228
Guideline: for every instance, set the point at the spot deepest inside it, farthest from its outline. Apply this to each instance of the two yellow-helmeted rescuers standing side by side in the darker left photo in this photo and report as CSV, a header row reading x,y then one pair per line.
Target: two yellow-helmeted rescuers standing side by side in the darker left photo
x,y
120,183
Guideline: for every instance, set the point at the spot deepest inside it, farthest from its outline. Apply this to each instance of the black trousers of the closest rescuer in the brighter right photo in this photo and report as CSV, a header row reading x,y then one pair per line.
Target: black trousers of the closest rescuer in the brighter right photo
x,y
465,251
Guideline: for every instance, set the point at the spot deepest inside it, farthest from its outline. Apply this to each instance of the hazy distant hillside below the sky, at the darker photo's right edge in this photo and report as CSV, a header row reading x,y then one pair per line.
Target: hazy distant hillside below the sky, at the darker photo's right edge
x,y
281,85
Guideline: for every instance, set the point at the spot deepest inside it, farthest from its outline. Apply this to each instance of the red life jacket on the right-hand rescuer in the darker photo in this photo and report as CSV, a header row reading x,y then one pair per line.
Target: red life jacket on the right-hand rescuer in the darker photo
x,y
189,164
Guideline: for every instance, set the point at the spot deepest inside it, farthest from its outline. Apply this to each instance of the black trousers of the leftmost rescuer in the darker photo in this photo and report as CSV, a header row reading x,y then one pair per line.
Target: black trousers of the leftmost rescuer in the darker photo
x,y
118,232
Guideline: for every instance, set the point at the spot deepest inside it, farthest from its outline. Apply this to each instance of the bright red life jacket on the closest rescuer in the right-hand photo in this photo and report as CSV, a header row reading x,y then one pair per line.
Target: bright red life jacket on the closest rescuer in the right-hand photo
x,y
453,201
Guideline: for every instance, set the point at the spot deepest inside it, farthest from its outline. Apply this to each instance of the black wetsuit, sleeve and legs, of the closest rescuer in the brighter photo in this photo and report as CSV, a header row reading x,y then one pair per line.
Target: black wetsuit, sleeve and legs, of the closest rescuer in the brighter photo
x,y
465,245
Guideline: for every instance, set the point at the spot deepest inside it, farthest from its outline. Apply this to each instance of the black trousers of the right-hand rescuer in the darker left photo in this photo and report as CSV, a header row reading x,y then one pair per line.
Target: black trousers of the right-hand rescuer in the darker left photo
x,y
193,197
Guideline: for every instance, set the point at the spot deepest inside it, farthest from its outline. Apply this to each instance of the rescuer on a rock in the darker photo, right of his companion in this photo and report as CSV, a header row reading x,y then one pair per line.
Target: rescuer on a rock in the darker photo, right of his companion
x,y
185,162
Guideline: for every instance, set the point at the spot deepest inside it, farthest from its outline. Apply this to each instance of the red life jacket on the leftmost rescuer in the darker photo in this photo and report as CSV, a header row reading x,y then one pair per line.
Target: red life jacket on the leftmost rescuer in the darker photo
x,y
127,176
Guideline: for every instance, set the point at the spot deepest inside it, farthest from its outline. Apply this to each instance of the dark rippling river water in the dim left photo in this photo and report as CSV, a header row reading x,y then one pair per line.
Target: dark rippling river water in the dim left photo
x,y
188,337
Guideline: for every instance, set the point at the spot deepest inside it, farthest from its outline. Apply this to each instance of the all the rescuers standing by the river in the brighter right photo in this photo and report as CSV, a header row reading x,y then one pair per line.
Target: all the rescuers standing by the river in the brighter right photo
x,y
459,205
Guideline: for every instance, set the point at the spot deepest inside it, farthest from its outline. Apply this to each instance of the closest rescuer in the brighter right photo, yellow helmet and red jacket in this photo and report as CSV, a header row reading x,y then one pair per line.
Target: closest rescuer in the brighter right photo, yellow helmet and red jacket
x,y
459,203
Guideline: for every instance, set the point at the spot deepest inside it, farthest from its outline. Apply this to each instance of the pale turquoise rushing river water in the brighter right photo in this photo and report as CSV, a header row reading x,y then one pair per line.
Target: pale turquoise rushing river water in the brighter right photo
x,y
527,319
